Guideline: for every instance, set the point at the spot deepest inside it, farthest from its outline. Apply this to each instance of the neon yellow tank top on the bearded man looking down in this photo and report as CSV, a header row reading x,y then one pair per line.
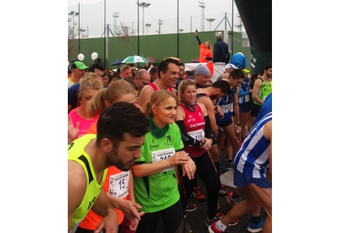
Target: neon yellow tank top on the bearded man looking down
x,y
77,153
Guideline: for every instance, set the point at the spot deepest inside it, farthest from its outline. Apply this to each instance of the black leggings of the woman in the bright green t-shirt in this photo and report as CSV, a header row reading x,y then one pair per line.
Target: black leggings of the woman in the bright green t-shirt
x,y
173,220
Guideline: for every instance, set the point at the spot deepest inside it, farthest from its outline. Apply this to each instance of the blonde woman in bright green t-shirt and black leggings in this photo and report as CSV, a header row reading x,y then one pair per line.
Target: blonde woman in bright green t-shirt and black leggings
x,y
155,183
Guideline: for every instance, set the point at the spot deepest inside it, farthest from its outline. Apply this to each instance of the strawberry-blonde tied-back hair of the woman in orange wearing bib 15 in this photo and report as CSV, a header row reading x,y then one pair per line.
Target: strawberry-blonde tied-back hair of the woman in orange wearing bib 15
x,y
115,90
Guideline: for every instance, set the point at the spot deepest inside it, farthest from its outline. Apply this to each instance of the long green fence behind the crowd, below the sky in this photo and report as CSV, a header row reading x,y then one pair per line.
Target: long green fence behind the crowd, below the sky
x,y
157,46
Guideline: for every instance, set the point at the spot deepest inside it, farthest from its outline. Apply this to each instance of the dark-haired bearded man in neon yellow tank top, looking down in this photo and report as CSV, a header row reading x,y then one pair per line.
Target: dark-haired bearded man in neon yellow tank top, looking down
x,y
117,143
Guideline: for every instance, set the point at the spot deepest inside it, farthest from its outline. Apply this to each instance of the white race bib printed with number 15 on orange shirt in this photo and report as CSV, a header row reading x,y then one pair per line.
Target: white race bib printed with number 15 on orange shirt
x,y
119,184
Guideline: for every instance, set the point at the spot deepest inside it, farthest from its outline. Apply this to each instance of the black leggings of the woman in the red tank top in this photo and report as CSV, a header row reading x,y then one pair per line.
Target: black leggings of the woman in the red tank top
x,y
206,170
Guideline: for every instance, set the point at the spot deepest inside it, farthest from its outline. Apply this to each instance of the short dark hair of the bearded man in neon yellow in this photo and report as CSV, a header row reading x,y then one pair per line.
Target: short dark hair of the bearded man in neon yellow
x,y
116,120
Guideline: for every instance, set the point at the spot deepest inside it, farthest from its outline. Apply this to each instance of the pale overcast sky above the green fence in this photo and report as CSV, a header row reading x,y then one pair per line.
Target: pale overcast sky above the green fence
x,y
190,15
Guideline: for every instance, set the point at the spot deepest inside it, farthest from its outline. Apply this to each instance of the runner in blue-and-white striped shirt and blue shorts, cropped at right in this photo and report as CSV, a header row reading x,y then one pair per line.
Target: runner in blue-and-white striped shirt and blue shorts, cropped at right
x,y
253,176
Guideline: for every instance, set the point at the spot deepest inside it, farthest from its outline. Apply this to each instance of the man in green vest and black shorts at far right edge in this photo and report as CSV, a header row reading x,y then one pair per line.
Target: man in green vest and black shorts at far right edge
x,y
262,88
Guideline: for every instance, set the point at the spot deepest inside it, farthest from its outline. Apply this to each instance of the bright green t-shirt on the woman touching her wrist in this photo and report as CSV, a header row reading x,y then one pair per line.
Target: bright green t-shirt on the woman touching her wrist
x,y
159,191
